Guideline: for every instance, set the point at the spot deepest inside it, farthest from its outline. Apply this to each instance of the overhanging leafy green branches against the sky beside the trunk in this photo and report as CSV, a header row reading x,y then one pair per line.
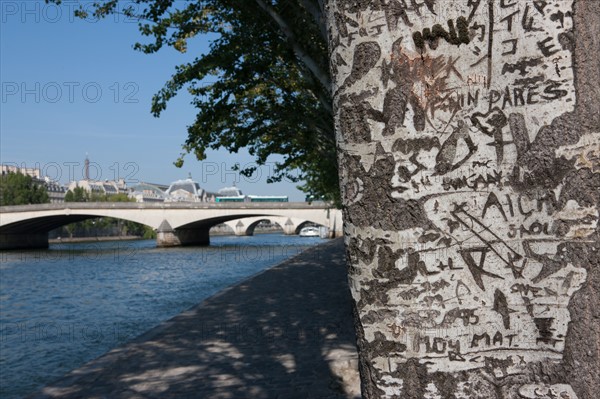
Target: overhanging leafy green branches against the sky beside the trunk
x,y
264,85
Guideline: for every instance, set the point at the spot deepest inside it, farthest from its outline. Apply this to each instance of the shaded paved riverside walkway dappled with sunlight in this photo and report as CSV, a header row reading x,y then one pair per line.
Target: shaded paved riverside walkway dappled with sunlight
x,y
285,333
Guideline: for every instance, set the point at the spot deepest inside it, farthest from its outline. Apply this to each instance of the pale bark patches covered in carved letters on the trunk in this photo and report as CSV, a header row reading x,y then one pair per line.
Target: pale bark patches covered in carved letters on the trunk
x,y
457,111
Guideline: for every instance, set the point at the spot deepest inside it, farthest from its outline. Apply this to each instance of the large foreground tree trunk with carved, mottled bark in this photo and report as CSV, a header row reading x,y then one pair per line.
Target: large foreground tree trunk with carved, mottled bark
x,y
469,142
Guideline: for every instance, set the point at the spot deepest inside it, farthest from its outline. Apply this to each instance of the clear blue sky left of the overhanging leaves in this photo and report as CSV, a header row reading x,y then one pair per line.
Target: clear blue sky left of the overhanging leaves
x,y
71,87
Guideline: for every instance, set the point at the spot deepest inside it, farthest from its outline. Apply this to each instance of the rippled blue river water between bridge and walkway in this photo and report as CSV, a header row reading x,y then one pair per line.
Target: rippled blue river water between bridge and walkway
x,y
67,305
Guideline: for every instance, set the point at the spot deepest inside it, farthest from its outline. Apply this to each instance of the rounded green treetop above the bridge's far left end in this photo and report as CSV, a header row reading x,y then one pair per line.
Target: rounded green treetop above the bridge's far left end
x,y
20,189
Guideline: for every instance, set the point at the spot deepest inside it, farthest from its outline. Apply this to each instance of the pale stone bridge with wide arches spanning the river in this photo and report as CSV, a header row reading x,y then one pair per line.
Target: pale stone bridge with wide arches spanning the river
x,y
176,224
